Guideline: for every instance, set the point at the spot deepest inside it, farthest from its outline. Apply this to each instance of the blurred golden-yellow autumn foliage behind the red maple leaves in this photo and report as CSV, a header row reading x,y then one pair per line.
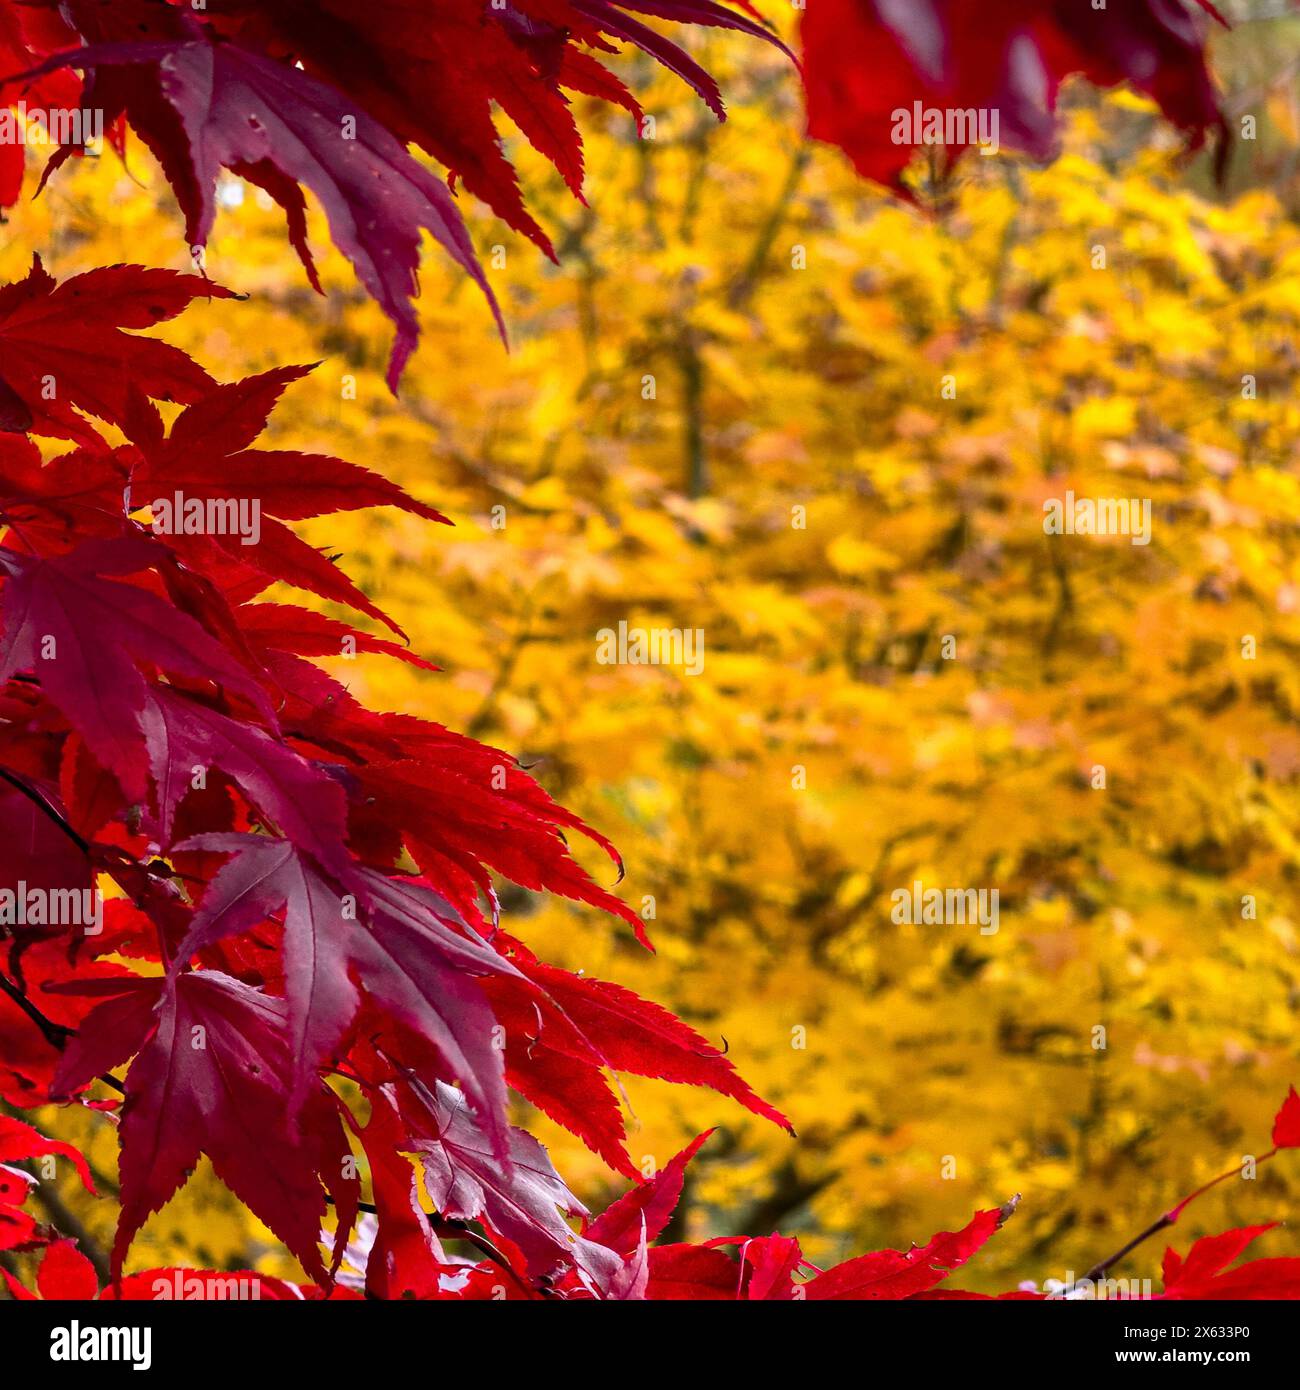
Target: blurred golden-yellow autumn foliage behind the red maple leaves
x,y
799,489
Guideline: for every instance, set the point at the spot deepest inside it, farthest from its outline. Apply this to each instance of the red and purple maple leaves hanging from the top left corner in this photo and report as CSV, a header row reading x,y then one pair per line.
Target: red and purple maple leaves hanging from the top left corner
x,y
333,98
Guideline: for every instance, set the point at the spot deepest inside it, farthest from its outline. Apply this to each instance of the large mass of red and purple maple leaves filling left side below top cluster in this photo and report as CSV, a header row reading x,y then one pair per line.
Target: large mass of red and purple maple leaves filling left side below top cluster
x,y
307,885
